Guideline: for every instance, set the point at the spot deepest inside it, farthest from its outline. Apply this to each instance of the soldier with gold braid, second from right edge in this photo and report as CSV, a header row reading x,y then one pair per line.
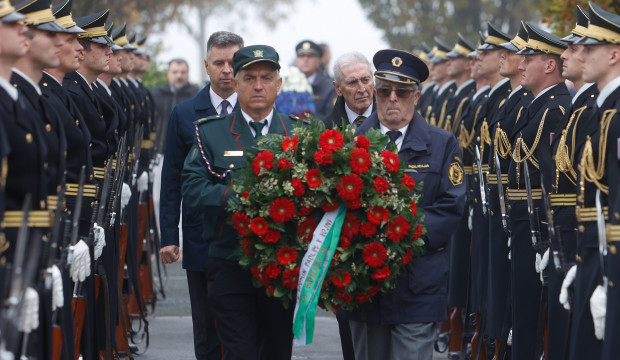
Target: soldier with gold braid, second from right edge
x,y
572,133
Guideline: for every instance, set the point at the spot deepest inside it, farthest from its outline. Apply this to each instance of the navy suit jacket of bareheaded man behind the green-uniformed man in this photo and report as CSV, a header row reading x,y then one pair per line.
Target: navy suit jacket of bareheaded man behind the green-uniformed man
x,y
180,137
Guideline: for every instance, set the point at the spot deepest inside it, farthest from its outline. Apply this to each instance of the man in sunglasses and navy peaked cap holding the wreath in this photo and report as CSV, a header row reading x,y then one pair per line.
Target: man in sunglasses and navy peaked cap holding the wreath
x,y
402,324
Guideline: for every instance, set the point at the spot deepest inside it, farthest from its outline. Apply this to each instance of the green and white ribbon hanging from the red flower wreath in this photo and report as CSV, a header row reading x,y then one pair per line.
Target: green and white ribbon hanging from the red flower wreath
x,y
312,273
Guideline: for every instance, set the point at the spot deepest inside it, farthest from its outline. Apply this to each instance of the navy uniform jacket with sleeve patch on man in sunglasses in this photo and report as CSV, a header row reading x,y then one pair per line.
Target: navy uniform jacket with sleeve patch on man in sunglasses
x,y
431,155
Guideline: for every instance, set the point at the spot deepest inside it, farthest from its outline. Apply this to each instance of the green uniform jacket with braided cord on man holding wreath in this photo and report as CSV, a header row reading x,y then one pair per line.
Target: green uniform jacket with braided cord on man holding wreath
x,y
217,156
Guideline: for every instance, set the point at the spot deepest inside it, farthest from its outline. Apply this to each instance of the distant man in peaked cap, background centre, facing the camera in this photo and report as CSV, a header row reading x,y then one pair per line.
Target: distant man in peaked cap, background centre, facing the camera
x,y
308,61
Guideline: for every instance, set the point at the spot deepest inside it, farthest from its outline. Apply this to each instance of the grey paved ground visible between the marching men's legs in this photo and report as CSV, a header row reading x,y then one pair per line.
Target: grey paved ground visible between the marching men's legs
x,y
171,327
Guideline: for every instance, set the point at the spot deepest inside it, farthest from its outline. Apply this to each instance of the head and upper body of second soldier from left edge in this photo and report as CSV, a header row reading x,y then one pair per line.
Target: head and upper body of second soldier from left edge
x,y
27,72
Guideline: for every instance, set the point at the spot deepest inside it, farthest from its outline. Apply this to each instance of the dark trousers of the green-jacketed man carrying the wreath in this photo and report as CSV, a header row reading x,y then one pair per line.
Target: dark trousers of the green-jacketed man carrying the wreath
x,y
250,324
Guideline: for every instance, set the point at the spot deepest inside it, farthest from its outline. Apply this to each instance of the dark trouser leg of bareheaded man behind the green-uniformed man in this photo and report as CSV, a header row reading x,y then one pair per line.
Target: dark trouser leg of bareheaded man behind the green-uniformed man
x,y
206,342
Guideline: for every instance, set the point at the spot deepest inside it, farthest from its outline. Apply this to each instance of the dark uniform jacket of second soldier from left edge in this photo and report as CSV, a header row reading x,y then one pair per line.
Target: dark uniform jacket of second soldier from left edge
x,y
48,120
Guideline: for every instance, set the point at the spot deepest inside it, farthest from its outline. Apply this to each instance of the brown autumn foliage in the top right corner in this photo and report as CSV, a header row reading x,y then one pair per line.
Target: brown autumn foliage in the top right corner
x,y
560,14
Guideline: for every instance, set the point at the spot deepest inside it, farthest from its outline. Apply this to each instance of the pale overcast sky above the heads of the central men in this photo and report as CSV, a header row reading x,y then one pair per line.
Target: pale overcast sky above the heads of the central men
x,y
340,23
